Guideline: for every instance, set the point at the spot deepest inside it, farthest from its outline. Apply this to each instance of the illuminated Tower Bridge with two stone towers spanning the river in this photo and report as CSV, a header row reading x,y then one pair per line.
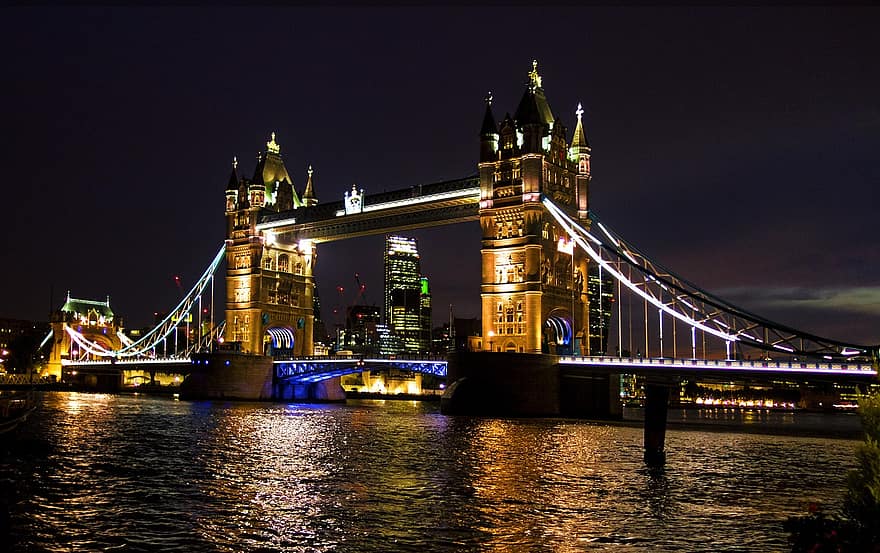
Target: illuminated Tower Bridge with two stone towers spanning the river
x,y
551,275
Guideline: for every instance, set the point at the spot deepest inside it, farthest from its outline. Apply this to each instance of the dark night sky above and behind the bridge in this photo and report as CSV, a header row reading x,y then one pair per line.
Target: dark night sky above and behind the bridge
x,y
737,147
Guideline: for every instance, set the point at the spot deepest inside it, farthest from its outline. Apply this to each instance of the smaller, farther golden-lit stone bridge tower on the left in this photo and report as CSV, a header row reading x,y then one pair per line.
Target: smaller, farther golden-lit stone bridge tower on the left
x,y
269,280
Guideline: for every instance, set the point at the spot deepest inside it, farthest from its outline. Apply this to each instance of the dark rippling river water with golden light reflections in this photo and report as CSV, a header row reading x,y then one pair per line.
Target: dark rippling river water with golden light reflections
x,y
135,473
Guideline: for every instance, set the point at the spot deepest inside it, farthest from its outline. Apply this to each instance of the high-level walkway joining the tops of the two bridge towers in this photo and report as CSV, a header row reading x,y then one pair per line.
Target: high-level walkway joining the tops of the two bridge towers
x,y
422,206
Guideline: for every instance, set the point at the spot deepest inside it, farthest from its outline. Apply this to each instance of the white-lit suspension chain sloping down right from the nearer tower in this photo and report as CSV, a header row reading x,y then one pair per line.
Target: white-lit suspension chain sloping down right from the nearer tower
x,y
688,303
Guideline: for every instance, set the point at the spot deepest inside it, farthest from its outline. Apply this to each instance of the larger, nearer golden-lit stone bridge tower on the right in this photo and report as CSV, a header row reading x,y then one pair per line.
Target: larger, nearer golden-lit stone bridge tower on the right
x,y
533,287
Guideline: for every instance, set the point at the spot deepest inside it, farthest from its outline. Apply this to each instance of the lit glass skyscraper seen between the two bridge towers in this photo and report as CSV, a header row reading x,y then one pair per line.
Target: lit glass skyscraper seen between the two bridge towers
x,y
403,295
